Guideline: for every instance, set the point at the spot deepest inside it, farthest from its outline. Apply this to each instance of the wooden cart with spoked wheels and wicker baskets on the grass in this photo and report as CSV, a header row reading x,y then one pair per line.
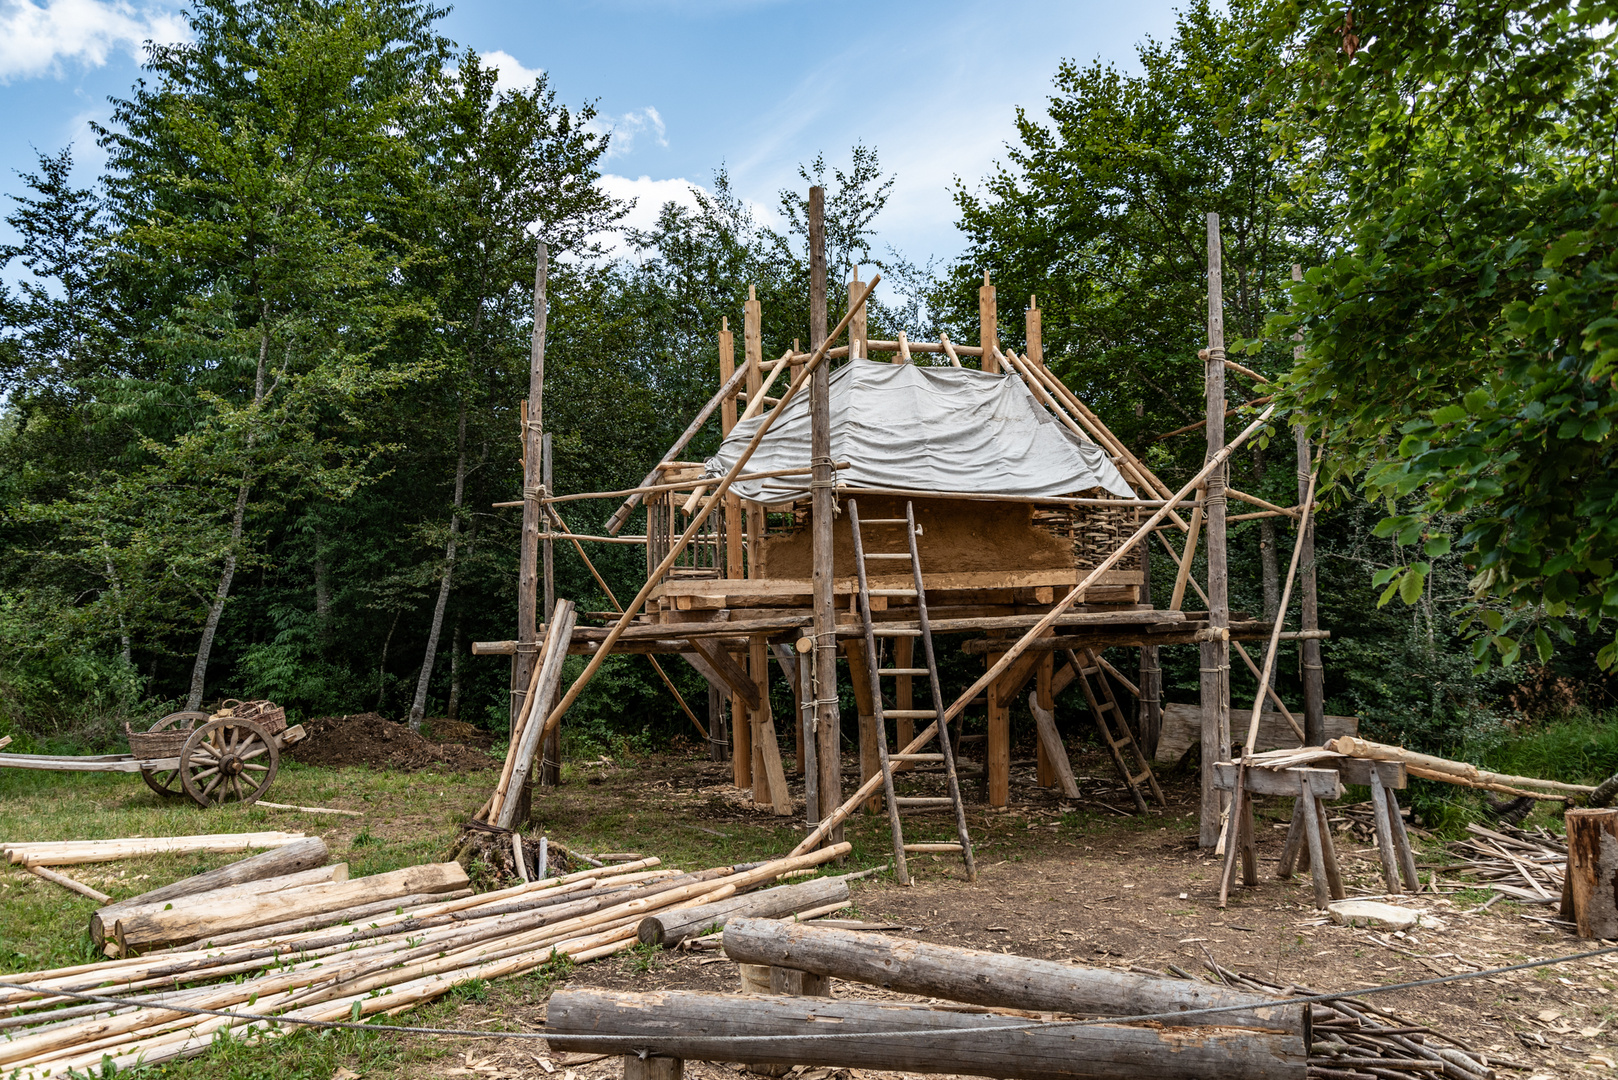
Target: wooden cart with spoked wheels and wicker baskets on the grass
x,y
227,757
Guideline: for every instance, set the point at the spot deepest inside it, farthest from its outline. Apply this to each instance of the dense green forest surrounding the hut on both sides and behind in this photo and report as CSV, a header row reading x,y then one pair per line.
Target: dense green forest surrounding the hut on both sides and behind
x,y
263,383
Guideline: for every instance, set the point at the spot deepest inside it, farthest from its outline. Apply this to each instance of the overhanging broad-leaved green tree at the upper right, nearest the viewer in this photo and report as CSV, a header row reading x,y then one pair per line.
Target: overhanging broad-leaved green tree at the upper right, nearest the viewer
x,y
1462,341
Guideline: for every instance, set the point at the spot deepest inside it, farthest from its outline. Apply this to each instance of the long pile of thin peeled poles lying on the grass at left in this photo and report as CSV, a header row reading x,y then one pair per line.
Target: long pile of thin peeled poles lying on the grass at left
x,y
350,969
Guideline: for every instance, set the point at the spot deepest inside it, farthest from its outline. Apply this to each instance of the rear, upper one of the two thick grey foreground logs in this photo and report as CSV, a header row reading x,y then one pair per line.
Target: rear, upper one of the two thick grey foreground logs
x,y
991,979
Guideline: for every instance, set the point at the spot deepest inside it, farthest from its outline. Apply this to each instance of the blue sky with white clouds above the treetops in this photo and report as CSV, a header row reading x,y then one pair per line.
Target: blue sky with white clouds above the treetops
x,y
687,85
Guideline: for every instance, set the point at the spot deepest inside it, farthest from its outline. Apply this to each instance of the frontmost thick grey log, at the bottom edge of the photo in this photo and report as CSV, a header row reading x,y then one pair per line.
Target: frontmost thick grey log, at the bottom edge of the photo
x,y
706,1027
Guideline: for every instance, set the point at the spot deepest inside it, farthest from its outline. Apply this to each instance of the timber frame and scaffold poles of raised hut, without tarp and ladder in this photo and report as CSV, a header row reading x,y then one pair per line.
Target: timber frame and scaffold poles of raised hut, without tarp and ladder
x,y
1038,589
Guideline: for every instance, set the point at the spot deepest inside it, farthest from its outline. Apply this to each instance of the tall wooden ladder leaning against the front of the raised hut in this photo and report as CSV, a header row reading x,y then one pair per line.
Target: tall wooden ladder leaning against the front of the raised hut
x,y
946,755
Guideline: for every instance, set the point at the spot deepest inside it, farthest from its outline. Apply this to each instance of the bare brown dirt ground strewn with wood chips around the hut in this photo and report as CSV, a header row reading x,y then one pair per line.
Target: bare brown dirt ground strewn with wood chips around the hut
x,y
1083,882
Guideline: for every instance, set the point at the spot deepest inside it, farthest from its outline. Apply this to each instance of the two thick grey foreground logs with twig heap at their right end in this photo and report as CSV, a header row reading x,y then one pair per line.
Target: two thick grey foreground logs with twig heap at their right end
x,y
996,1016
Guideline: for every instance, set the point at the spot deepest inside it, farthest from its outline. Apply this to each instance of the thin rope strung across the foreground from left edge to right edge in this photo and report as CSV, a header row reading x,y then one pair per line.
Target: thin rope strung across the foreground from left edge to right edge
x,y
640,1042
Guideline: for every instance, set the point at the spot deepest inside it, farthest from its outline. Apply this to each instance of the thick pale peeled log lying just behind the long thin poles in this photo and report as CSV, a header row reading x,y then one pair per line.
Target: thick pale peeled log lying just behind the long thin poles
x,y
156,927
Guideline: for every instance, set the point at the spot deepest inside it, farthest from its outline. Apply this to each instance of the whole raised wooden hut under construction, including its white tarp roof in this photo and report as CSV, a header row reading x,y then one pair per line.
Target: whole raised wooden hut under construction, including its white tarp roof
x,y
925,490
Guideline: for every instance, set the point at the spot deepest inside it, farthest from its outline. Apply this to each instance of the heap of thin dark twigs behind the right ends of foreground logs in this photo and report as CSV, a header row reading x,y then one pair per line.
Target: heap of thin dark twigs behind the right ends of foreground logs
x,y
1357,1040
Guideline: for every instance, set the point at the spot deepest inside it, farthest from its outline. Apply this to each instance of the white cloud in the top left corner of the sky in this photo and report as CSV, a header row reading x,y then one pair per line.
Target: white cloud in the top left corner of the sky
x,y
40,38
